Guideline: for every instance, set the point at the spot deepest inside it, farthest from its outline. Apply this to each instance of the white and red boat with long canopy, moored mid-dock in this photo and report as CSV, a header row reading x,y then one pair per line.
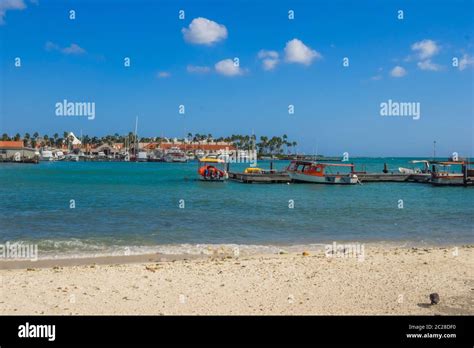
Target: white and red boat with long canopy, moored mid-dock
x,y
321,173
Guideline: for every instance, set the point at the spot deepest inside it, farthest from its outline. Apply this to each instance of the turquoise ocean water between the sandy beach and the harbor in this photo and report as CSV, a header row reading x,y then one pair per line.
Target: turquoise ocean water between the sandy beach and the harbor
x,y
134,207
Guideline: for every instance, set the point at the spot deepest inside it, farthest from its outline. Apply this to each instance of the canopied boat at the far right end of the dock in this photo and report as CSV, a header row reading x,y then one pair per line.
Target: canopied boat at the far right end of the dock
x,y
445,174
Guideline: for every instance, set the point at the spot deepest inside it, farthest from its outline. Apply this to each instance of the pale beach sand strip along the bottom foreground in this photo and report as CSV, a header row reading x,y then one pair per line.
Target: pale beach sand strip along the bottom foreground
x,y
389,280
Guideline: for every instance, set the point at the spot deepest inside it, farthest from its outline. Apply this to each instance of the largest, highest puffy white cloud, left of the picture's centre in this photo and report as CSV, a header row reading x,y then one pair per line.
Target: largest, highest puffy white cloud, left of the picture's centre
x,y
203,31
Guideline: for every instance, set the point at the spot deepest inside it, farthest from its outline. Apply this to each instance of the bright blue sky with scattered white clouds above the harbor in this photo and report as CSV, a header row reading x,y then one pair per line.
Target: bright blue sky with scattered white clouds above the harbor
x,y
405,57
